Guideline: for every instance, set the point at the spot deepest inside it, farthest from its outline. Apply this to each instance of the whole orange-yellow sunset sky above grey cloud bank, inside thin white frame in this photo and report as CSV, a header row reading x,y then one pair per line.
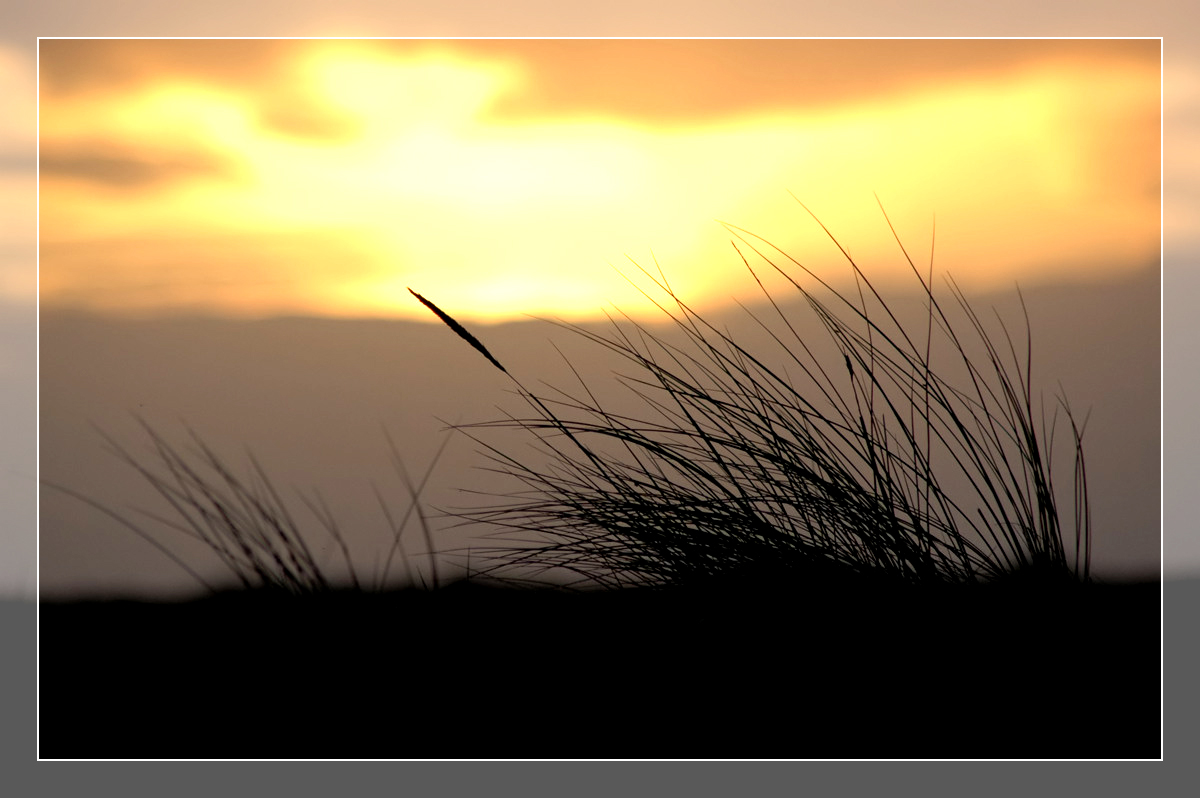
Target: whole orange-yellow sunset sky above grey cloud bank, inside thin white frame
x,y
256,178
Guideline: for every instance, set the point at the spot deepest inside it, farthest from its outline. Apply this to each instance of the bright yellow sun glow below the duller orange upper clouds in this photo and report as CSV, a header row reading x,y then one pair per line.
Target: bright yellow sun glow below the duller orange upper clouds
x,y
499,218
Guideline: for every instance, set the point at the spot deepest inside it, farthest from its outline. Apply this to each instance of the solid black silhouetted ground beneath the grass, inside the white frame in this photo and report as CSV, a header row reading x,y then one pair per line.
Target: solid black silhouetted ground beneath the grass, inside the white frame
x,y
849,671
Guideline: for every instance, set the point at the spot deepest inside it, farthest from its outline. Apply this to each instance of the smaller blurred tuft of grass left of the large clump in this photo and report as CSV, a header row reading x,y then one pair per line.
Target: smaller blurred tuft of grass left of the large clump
x,y
247,524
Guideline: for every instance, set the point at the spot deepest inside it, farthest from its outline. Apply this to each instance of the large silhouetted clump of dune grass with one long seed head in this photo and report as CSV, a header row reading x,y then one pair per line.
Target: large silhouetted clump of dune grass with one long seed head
x,y
811,470
